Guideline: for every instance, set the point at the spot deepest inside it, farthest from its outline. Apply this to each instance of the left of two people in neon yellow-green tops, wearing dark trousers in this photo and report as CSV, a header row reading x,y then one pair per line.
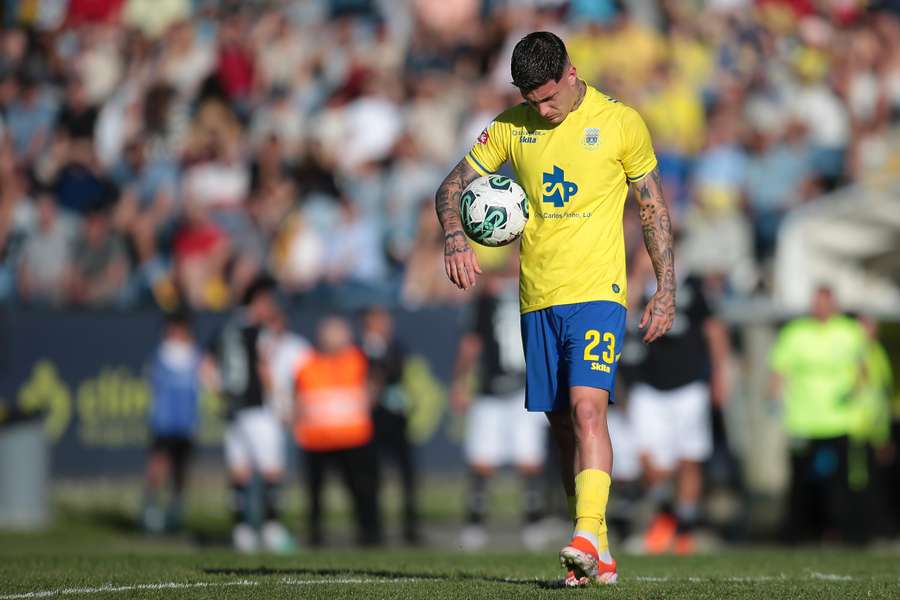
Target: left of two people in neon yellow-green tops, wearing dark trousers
x,y
818,367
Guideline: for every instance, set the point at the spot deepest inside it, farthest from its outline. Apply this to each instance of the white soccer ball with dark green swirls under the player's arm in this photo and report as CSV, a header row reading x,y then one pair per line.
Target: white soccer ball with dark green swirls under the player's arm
x,y
494,210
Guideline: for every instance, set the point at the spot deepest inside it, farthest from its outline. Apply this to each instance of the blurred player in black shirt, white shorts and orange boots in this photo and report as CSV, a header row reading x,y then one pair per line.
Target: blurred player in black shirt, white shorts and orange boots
x,y
672,385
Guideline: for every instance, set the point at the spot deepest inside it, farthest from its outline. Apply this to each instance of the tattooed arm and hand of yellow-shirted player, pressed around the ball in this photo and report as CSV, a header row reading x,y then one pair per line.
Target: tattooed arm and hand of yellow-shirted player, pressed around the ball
x,y
459,259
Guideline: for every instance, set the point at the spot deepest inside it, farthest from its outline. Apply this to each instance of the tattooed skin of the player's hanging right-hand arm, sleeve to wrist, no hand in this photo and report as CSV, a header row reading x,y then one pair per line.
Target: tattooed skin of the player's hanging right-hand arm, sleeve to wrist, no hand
x,y
657,228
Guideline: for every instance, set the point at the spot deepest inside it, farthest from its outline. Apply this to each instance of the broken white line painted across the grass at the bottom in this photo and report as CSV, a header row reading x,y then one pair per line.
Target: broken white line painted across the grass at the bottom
x,y
176,585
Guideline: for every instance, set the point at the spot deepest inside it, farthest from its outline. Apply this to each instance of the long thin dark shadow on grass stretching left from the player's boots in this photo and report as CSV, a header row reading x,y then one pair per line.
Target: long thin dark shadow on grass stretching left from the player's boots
x,y
385,574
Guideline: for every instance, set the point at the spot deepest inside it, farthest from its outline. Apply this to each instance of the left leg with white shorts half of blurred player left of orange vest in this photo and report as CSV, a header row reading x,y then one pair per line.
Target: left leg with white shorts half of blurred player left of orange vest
x,y
240,472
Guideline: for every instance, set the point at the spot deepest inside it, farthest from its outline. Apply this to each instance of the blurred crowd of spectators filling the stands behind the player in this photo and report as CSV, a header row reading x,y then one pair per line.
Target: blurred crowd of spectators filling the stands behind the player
x,y
152,150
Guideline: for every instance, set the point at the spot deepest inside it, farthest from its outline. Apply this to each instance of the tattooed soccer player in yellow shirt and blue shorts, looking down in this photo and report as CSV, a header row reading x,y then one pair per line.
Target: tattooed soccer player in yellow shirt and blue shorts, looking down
x,y
576,152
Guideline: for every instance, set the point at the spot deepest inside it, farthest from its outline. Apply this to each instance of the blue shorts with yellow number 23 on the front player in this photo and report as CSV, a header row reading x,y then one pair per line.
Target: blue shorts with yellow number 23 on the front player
x,y
568,345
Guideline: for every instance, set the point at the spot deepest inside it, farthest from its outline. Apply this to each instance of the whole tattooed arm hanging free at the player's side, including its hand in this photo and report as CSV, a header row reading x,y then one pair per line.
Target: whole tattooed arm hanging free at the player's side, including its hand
x,y
657,228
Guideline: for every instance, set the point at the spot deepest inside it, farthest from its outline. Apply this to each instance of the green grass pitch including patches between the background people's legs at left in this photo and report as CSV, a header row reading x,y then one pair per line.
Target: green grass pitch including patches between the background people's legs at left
x,y
94,552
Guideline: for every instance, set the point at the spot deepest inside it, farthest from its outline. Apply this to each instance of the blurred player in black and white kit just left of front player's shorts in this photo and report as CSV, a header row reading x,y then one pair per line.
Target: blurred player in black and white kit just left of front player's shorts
x,y
498,431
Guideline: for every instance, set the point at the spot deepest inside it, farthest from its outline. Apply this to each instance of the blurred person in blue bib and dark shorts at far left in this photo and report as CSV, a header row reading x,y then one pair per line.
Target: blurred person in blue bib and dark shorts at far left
x,y
174,379
